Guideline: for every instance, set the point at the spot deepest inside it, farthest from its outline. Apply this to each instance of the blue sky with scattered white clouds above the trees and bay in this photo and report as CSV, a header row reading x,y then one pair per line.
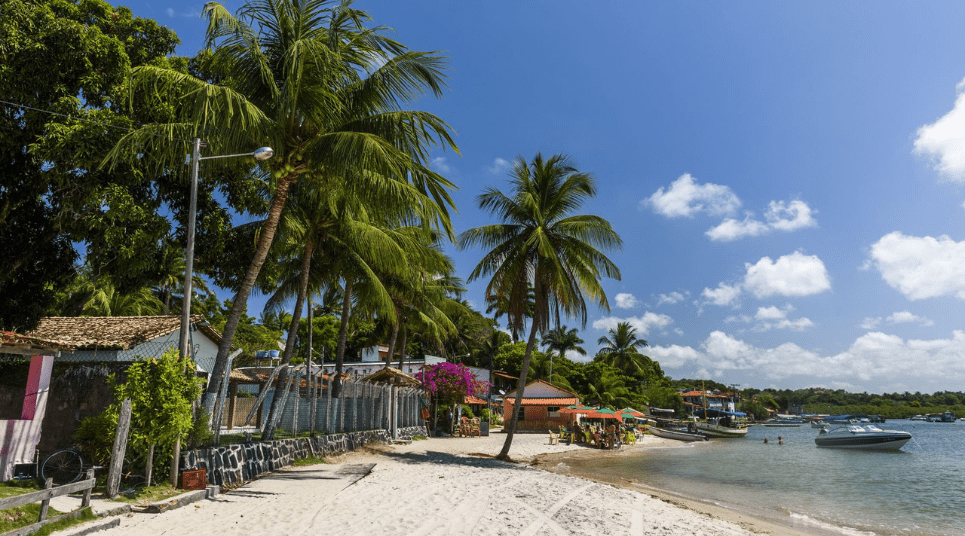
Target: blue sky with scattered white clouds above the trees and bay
x,y
788,178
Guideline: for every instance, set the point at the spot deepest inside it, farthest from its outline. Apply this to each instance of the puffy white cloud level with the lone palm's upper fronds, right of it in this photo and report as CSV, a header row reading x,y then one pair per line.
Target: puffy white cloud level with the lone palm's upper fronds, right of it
x,y
685,198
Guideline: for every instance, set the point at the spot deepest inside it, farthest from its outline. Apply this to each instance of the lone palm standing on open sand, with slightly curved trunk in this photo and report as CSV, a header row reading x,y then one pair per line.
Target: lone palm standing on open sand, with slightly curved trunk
x,y
542,246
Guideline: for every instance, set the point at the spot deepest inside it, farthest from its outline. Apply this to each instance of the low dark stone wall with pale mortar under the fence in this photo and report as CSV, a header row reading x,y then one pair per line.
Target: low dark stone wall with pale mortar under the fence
x,y
231,466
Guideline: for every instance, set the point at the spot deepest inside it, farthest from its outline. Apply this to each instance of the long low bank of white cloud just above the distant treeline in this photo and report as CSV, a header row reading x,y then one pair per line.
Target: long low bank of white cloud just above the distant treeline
x,y
886,360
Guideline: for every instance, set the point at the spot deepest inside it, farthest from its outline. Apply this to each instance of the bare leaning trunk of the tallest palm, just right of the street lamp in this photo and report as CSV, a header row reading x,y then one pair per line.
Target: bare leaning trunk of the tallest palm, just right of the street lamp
x,y
240,304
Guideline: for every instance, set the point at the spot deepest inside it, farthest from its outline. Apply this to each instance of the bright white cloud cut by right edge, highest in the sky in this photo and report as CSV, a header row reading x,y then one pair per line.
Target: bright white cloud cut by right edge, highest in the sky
x,y
943,141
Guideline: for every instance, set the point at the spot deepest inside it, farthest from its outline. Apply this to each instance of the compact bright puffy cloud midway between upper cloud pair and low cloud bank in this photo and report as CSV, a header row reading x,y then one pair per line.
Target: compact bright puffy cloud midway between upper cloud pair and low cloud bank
x,y
791,275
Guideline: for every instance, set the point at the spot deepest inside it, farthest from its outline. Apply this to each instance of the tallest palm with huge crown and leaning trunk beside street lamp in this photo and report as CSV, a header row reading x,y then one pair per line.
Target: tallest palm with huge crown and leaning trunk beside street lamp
x,y
325,92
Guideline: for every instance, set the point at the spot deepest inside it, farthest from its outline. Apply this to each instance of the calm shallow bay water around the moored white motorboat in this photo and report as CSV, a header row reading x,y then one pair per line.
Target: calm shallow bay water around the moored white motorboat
x,y
917,490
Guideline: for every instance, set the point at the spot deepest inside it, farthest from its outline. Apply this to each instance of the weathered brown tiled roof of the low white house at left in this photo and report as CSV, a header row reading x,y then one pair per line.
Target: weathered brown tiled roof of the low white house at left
x,y
110,332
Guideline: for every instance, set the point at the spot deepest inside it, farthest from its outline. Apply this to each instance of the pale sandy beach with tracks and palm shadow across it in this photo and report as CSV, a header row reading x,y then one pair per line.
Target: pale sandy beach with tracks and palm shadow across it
x,y
448,486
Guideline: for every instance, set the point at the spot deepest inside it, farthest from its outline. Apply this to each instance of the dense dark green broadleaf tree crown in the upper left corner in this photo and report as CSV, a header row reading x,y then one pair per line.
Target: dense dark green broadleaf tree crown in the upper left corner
x,y
74,59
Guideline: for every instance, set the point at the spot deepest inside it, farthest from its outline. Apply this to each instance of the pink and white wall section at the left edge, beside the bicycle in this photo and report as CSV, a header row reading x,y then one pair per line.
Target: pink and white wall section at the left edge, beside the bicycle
x,y
19,438
